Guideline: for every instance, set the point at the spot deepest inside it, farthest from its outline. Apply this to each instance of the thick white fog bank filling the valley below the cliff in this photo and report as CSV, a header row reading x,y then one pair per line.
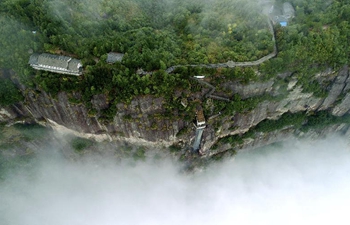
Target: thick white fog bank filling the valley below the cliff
x,y
297,182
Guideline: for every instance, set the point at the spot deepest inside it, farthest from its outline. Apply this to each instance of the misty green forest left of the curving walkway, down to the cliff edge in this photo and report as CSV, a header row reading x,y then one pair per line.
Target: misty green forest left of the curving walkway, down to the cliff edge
x,y
152,34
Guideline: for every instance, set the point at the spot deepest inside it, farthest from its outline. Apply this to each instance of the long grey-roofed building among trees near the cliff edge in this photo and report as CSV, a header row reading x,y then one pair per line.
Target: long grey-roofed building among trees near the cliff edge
x,y
56,63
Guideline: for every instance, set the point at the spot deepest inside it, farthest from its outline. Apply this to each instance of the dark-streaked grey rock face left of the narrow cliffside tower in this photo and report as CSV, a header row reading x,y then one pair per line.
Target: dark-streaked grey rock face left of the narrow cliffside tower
x,y
136,121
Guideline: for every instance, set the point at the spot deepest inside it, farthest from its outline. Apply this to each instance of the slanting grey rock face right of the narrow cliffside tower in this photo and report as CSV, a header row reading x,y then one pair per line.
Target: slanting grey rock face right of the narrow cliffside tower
x,y
295,101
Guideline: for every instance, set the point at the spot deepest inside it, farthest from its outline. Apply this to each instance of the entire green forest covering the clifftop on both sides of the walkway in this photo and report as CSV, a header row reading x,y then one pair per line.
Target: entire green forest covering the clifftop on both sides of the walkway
x,y
157,34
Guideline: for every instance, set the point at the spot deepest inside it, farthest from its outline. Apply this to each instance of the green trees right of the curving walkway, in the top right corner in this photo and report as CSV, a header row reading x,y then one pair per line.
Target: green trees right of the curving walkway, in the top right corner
x,y
318,37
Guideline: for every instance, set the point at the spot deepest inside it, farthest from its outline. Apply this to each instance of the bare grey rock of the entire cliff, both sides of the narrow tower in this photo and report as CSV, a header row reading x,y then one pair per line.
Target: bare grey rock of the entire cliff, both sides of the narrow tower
x,y
143,119
